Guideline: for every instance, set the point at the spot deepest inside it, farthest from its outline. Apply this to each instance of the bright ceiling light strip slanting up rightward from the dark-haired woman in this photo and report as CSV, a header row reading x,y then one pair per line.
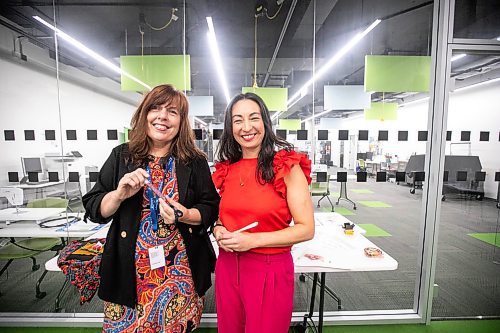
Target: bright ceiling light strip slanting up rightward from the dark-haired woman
x,y
333,60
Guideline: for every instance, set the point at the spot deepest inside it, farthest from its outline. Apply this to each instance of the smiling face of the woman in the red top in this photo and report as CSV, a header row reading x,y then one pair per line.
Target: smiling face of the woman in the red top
x,y
248,127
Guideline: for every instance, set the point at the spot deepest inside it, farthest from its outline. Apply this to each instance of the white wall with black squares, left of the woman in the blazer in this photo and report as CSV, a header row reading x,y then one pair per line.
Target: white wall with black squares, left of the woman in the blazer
x,y
29,101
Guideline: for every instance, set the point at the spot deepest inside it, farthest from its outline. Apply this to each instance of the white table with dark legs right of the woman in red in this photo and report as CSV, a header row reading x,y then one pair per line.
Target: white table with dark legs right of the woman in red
x,y
337,252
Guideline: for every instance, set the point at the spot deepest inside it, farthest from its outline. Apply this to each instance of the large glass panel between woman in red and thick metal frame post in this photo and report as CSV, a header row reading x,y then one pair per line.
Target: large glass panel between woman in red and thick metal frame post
x,y
369,120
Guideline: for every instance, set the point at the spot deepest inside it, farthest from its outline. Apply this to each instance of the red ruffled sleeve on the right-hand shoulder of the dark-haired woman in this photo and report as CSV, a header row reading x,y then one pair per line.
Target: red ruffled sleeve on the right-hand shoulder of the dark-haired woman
x,y
282,164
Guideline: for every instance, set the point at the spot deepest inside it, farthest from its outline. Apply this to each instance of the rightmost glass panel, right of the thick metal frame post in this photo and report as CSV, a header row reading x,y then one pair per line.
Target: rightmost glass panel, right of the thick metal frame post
x,y
468,258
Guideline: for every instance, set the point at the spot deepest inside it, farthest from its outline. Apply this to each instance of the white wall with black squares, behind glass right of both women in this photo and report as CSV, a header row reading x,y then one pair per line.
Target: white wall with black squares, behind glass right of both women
x,y
475,109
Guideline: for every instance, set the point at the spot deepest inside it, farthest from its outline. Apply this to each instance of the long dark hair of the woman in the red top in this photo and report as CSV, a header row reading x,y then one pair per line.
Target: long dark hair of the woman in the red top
x,y
230,150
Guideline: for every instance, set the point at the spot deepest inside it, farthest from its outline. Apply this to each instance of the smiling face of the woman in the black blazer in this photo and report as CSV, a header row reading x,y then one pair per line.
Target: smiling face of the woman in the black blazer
x,y
163,123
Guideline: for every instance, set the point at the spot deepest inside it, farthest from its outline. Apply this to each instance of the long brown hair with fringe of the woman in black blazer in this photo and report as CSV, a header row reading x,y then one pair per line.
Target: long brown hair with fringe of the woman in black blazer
x,y
182,146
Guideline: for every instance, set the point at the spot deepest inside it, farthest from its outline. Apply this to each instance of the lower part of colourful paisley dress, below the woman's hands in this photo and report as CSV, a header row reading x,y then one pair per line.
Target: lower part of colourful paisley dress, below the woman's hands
x,y
166,297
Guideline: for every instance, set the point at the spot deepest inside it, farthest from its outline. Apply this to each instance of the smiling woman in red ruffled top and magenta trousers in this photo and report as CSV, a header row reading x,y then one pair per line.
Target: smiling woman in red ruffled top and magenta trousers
x,y
254,272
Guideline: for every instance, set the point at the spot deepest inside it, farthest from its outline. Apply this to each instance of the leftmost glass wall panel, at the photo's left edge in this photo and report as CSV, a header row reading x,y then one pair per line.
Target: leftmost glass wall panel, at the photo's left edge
x,y
33,196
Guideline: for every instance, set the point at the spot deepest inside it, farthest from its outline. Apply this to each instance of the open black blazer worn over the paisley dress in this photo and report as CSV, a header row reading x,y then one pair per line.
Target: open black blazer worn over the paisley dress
x,y
117,270
